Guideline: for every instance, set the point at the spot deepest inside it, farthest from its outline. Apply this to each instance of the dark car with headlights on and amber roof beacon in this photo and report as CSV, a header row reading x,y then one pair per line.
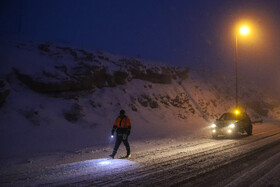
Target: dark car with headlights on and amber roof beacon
x,y
232,123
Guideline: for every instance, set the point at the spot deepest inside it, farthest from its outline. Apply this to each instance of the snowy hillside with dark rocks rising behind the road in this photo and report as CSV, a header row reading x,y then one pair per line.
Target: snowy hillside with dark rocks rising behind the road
x,y
56,97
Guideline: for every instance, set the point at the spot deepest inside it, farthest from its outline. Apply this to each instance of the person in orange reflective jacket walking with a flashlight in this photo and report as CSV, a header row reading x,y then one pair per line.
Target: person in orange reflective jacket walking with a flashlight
x,y
122,126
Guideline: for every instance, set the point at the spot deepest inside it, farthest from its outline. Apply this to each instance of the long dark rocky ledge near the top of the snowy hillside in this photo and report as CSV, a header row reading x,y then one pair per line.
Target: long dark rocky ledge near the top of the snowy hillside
x,y
86,76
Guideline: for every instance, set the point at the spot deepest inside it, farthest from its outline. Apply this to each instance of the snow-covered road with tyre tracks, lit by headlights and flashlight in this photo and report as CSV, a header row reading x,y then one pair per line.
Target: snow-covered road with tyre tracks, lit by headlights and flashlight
x,y
246,160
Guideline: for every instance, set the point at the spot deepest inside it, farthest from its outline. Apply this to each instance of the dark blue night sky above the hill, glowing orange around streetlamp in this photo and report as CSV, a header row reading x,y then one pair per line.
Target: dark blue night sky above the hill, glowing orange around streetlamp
x,y
196,33
